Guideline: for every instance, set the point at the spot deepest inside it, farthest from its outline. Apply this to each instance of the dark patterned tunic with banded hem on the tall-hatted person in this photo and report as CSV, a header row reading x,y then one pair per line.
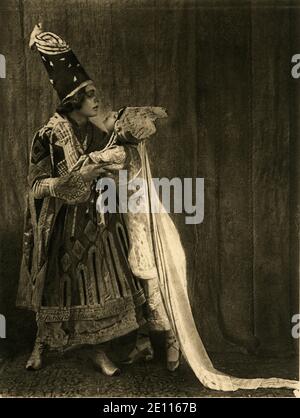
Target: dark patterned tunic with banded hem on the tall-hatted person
x,y
89,294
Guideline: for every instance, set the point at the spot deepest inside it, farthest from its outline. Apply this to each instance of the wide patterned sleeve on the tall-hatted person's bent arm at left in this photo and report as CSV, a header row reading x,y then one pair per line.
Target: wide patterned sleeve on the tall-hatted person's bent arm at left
x,y
71,187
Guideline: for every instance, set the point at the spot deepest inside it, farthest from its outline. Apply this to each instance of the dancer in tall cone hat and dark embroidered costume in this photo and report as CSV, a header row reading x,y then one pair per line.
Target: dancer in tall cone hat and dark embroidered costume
x,y
74,271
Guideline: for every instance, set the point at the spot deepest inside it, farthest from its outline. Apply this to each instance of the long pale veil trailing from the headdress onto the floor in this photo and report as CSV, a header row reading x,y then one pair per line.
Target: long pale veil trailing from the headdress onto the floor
x,y
171,269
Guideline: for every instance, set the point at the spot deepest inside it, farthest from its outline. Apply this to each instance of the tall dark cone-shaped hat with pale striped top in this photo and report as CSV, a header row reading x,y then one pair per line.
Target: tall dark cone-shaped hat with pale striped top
x,y
64,70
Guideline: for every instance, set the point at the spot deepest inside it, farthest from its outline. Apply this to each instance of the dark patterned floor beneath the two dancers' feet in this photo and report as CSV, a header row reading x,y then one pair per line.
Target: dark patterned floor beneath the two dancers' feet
x,y
71,377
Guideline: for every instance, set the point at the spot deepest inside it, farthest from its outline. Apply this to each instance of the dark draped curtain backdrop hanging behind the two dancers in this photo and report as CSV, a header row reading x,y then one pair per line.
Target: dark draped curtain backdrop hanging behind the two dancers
x,y
223,71
